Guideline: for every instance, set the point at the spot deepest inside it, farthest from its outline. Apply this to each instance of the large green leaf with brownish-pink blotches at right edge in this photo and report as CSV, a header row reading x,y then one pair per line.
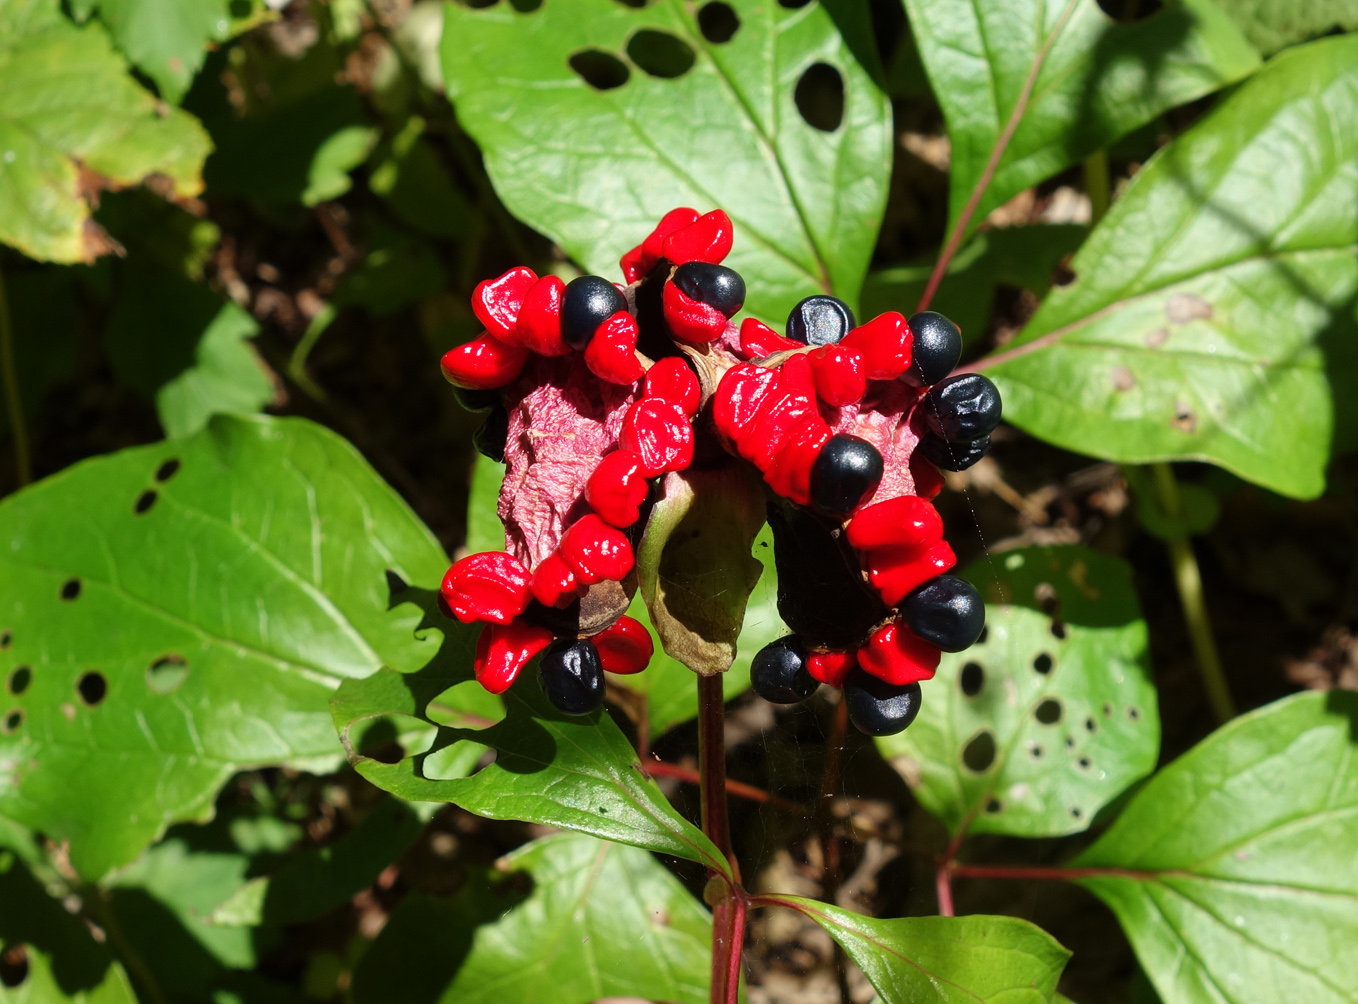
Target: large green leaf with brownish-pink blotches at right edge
x,y
1213,313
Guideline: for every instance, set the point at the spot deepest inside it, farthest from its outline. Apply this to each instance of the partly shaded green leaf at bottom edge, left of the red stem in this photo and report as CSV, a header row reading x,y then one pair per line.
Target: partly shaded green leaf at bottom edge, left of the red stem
x,y
567,919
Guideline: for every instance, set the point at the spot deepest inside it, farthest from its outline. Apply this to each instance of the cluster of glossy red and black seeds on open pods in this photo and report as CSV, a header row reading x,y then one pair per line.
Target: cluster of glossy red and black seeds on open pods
x,y
600,391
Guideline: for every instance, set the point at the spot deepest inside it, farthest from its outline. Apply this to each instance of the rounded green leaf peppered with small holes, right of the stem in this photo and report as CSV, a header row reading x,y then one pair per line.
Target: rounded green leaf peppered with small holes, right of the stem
x,y
1053,715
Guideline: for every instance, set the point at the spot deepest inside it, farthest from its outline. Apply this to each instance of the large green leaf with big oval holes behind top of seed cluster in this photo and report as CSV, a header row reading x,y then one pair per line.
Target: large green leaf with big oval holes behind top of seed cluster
x,y
597,119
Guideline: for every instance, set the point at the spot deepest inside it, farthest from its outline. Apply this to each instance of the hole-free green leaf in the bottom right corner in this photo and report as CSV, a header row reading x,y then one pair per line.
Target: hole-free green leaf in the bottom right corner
x,y
1232,872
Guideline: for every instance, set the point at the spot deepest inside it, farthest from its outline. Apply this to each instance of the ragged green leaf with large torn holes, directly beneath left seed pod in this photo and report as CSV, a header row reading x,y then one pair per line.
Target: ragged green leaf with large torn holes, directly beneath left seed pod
x,y
575,772
